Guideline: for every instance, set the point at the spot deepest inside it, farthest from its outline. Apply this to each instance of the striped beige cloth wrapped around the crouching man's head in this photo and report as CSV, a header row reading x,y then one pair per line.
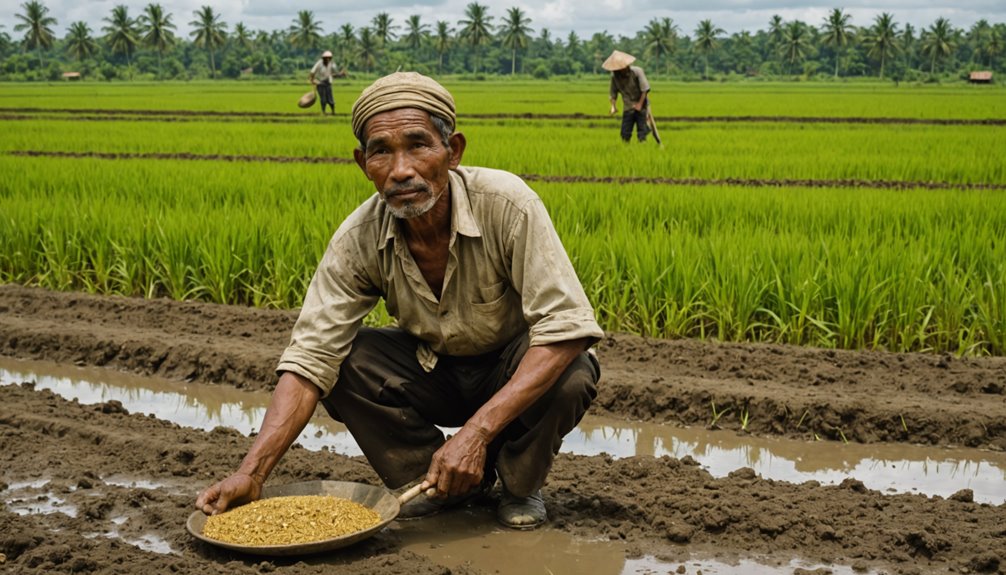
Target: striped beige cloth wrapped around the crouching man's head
x,y
403,90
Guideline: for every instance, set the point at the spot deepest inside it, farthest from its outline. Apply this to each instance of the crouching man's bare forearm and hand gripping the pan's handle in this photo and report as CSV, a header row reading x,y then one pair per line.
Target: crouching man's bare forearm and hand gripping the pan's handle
x,y
457,468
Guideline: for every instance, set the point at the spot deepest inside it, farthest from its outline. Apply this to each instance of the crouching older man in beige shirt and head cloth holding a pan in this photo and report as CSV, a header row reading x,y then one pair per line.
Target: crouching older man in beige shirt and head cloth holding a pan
x,y
492,334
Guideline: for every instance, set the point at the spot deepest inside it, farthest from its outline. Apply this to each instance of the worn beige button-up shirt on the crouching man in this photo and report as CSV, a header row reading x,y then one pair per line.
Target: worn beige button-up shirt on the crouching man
x,y
508,275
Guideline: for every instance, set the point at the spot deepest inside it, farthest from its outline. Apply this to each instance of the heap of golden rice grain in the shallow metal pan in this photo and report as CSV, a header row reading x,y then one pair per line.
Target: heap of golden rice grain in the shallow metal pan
x,y
290,520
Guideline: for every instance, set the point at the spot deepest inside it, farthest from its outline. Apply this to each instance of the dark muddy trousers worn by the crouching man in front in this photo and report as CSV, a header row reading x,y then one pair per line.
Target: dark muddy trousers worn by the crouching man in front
x,y
393,408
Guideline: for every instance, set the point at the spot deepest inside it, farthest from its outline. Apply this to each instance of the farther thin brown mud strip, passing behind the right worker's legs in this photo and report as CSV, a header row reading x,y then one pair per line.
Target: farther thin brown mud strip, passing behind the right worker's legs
x,y
21,113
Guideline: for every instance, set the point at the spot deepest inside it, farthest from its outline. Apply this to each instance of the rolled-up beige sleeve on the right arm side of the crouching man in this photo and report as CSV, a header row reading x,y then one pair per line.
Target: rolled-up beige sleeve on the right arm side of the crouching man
x,y
554,302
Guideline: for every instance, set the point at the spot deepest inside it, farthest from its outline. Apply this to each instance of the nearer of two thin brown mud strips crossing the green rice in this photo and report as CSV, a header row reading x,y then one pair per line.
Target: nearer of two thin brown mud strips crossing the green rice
x,y
741,182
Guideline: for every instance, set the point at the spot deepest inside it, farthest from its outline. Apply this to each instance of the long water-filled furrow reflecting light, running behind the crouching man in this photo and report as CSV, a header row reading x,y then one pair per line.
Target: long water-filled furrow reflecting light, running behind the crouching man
x,y
886,468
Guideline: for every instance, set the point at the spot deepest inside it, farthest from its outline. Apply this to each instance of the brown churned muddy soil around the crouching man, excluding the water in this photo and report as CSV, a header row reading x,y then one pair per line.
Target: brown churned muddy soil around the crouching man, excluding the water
x,y
661,507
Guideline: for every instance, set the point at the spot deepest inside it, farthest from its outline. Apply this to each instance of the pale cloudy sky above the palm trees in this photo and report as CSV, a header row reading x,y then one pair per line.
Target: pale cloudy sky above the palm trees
x,y
618,18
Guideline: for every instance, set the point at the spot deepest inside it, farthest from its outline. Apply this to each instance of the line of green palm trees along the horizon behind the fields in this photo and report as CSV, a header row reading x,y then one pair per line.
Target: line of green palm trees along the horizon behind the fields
x,y
148,47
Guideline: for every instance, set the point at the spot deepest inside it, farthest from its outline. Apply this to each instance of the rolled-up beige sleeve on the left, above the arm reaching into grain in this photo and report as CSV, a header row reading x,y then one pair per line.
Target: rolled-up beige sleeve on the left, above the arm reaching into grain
x,y
342,294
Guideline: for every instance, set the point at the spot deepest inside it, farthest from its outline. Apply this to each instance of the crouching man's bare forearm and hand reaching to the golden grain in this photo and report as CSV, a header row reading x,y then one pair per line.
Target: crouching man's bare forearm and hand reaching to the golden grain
x,y
292,407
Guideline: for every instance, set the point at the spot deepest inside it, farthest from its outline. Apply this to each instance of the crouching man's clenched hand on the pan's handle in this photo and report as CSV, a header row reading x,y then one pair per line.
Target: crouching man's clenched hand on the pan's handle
x,y
457,468
